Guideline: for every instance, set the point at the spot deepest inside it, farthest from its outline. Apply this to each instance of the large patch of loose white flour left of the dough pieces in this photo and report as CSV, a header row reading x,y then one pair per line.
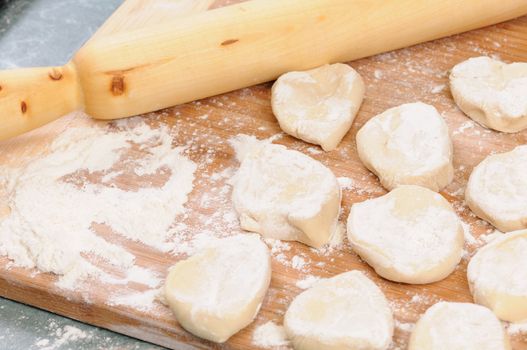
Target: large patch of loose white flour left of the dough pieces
x,y
58,201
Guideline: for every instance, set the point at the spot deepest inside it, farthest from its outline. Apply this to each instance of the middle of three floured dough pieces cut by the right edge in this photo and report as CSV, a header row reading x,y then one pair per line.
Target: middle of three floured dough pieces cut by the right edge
x,y
497,190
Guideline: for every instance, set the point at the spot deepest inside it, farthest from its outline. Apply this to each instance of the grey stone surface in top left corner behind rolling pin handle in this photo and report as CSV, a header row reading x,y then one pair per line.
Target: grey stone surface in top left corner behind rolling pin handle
x,y
48,32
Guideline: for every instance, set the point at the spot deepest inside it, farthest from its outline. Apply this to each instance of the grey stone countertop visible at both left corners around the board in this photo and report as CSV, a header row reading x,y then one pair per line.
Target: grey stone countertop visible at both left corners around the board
x,y
42,33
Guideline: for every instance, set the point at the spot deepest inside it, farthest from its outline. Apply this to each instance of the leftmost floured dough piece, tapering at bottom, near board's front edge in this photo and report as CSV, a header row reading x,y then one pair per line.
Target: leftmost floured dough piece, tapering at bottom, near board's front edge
x,y
219,291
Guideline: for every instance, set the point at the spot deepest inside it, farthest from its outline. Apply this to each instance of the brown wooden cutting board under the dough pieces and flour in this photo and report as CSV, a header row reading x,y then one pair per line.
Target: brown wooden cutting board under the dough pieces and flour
x,y
419,73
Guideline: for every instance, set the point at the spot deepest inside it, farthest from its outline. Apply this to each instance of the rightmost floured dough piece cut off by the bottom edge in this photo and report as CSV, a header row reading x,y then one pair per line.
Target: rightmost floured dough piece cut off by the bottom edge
x,y
458,326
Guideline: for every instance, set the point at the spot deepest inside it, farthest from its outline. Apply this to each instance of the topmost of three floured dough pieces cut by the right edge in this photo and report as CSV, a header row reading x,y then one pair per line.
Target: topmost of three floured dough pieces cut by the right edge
x,y
492,92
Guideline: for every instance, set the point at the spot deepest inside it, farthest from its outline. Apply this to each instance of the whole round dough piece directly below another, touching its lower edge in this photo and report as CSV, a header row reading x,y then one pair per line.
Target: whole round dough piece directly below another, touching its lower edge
x,y
409,235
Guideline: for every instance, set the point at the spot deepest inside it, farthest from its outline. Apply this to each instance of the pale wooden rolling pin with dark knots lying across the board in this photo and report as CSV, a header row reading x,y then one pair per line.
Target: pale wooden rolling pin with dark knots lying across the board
x,y
213,52
